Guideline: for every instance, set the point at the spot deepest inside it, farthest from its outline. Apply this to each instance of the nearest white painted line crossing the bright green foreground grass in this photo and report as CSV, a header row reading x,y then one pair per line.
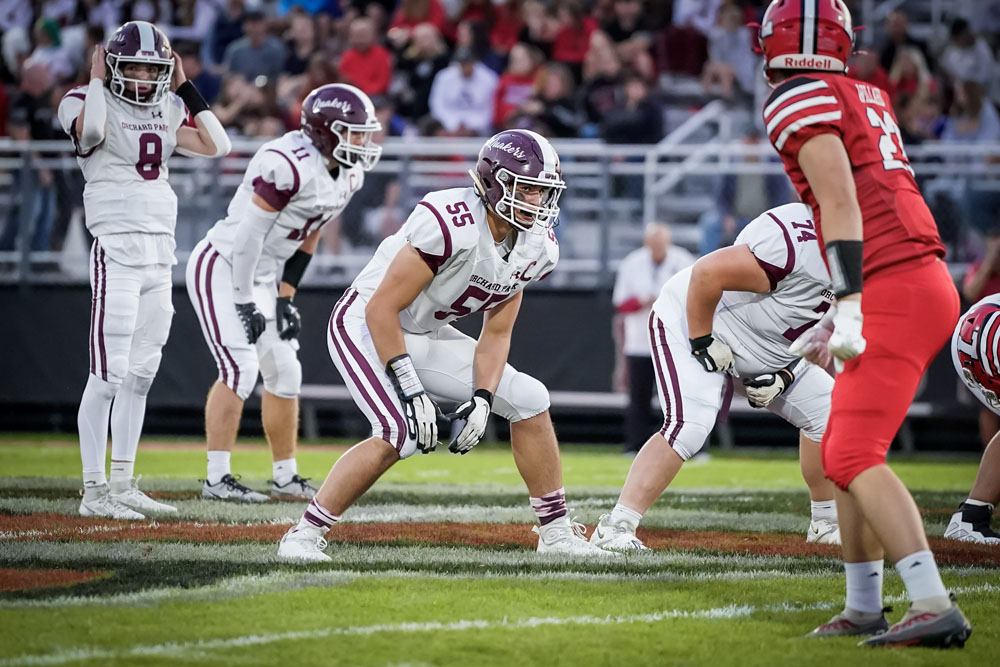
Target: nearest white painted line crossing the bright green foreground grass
x,y
186,649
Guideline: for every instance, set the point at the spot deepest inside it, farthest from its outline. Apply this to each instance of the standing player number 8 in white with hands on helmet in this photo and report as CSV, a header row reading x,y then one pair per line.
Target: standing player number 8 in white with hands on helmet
x,y
125,125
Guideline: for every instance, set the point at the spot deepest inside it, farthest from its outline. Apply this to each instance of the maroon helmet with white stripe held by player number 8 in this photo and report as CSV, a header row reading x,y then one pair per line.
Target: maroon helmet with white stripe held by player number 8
x,y
139,42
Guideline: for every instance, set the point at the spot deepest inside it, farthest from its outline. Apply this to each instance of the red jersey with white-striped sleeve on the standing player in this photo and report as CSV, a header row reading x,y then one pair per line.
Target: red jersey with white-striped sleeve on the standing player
x,y
898,226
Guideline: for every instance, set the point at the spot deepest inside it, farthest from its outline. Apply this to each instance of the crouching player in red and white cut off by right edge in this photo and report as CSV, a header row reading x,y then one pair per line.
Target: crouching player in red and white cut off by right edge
x,y
974,353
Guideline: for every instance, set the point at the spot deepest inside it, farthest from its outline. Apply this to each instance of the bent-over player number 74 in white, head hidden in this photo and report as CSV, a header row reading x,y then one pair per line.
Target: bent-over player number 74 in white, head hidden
x,y
735,311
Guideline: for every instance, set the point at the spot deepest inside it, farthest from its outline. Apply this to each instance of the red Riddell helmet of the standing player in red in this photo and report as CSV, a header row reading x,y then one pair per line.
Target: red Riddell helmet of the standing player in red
x,y
806,34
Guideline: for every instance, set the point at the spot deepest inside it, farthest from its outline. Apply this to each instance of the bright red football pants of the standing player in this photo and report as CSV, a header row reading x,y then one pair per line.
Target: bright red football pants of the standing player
x,y
909,316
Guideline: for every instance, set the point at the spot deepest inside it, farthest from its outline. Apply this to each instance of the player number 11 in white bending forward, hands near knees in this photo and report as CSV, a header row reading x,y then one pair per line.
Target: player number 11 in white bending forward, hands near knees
x,y
293,186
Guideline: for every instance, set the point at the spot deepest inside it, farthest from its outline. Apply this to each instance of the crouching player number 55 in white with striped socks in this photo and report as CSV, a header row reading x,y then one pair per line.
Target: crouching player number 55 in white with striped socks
x,y
460,251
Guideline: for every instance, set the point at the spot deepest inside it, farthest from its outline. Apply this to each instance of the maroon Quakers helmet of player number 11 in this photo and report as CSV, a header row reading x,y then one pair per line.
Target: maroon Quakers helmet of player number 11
x,y
340,121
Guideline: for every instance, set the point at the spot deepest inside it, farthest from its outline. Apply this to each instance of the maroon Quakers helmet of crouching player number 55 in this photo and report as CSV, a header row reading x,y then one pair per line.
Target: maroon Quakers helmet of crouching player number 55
x,y
515,158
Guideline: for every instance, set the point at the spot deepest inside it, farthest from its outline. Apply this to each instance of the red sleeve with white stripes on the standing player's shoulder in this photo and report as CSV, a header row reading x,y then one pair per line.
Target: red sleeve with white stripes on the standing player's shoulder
x,y
800,109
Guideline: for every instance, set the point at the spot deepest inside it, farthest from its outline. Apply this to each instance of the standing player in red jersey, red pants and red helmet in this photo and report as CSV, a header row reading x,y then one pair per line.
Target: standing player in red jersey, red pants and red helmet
x,y
841,146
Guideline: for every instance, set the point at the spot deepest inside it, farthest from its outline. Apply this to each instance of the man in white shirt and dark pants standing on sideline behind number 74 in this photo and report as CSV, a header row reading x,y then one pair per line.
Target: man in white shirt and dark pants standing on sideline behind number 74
x,y
641,276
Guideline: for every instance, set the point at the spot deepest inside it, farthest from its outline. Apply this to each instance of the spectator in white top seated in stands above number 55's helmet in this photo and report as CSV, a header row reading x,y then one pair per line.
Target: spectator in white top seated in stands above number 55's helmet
x,y
462,95
